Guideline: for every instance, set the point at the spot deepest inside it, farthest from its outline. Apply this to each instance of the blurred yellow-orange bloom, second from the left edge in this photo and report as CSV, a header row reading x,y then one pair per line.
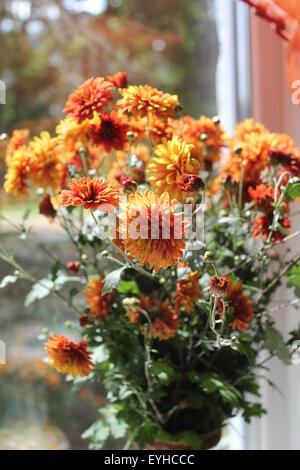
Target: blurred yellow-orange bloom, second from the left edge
x,y
47,168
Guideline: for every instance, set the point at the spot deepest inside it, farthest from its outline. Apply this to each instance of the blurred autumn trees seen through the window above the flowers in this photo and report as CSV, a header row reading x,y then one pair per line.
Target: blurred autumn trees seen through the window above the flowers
x,y
50,46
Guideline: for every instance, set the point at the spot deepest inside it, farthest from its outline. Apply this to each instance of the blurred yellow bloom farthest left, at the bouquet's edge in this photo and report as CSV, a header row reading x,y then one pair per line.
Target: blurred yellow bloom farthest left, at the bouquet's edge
x,y
18,173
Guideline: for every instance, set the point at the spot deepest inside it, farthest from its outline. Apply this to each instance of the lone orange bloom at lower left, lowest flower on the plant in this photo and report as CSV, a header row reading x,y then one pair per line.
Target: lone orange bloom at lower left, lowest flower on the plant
x,y
68,357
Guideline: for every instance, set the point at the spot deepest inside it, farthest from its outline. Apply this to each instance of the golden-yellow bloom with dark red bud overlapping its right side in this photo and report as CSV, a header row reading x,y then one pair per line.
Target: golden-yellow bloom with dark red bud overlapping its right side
x,y
172,160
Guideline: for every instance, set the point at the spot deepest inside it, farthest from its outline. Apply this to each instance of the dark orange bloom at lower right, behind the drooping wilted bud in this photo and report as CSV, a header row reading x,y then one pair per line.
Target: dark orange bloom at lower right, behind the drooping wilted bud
x,y
241,305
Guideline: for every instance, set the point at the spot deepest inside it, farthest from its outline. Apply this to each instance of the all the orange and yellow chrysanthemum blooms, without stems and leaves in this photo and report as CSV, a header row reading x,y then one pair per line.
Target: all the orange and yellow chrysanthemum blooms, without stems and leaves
x,y
107,134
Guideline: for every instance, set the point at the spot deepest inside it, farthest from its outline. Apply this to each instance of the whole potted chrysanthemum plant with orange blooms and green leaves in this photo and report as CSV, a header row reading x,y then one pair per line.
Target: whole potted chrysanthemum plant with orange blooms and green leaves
x,y
177,230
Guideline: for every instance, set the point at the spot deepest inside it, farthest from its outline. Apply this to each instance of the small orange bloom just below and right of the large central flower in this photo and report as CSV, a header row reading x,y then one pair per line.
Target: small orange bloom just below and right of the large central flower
x,y
187,292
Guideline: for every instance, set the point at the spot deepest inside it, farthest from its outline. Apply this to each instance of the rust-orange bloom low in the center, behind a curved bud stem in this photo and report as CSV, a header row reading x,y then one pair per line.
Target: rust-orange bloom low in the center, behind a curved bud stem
x,y
165,321
